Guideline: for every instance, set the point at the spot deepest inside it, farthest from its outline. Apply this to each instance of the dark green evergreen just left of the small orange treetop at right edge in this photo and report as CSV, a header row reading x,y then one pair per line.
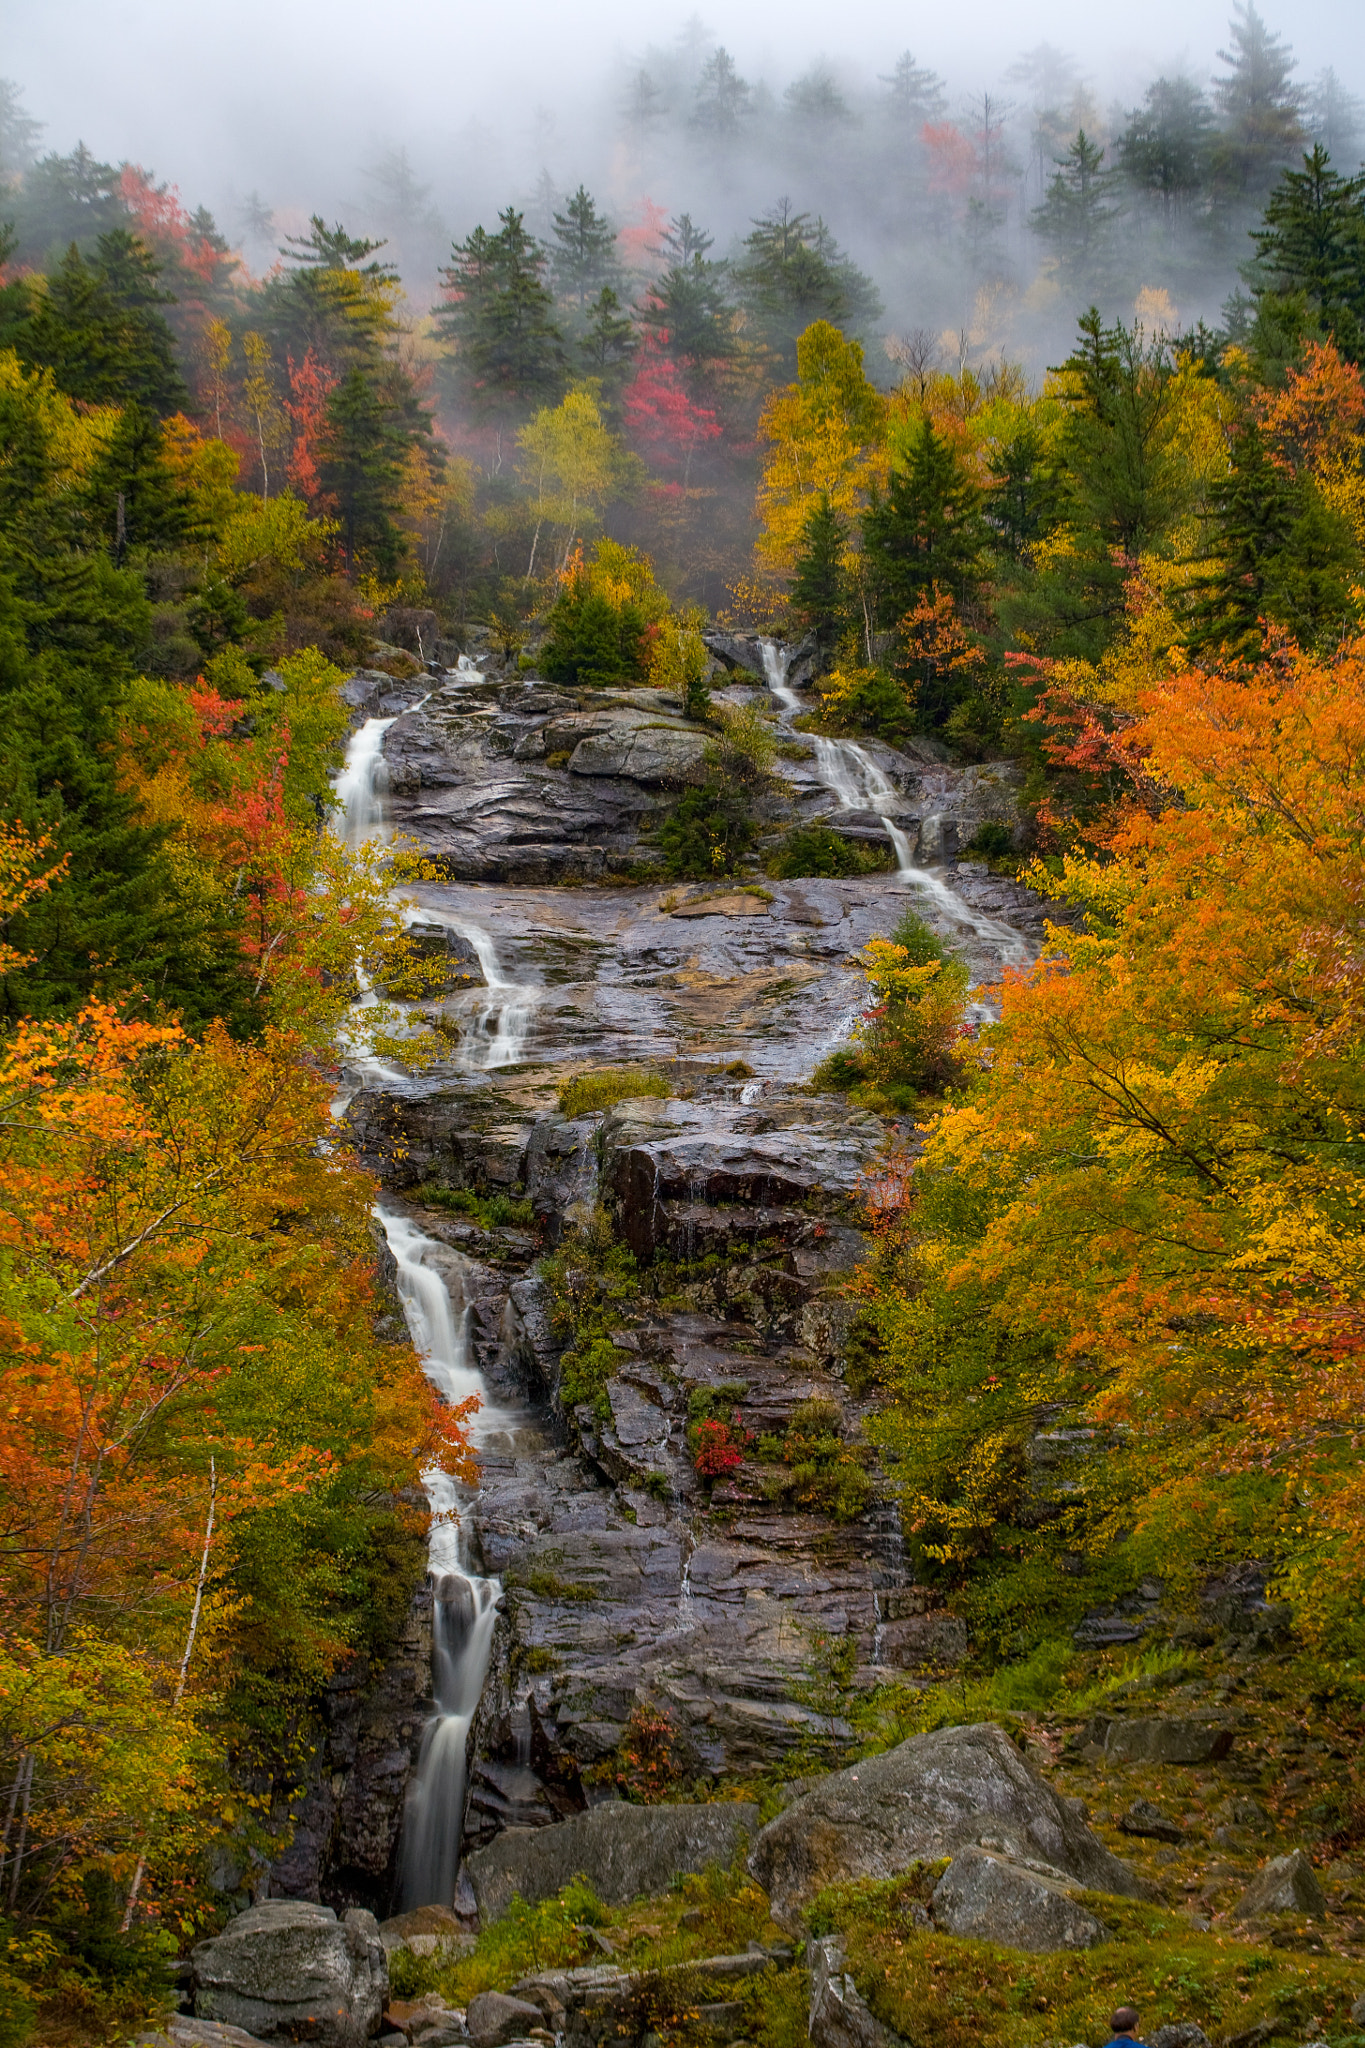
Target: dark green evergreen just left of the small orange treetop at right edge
x,y
1282,556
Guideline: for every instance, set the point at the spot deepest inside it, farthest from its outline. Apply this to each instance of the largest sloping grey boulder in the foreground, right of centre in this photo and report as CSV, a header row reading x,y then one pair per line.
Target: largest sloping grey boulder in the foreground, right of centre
x,y
926,1799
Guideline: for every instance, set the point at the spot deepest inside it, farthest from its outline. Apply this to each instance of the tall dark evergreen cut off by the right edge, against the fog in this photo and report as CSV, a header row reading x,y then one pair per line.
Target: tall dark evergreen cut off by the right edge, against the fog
x,y
1313,245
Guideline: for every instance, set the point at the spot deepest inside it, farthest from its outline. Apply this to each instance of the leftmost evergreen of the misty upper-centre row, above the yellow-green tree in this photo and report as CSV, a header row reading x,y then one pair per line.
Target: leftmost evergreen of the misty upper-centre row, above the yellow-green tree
x,y
509,353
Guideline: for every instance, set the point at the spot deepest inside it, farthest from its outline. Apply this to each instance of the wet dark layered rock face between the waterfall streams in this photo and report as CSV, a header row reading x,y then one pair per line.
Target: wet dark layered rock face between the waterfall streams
x,y
629,1578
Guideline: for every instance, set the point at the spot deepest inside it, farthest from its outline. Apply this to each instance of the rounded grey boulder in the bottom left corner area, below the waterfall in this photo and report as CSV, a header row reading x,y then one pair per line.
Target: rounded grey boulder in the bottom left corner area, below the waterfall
x,y
290,1969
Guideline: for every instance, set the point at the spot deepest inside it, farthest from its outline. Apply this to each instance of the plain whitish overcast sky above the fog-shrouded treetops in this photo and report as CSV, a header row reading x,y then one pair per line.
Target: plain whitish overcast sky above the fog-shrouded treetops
x,y
294,95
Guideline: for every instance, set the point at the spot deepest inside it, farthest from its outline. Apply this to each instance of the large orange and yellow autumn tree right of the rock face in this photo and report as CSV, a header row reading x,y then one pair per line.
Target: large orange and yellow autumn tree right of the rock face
x,y
1145,1224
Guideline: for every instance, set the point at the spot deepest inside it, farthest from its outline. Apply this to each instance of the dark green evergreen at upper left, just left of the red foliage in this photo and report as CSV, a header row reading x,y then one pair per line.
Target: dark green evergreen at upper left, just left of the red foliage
x,y
101,333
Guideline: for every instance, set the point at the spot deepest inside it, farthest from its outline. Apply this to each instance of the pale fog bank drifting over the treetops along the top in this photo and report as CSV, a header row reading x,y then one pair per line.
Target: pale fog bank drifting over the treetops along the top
x,y
322,108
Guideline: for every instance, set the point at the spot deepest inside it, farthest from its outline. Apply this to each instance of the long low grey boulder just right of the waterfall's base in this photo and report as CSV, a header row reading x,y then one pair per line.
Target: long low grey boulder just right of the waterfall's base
x,y
621,1850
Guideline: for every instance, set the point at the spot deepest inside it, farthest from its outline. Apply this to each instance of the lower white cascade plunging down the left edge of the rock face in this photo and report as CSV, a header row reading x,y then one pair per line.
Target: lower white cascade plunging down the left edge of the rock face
x,y
464,1605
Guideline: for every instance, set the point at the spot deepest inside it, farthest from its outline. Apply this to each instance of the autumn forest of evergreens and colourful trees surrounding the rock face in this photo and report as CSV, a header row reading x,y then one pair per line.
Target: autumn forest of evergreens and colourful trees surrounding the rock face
x,y
580,447
